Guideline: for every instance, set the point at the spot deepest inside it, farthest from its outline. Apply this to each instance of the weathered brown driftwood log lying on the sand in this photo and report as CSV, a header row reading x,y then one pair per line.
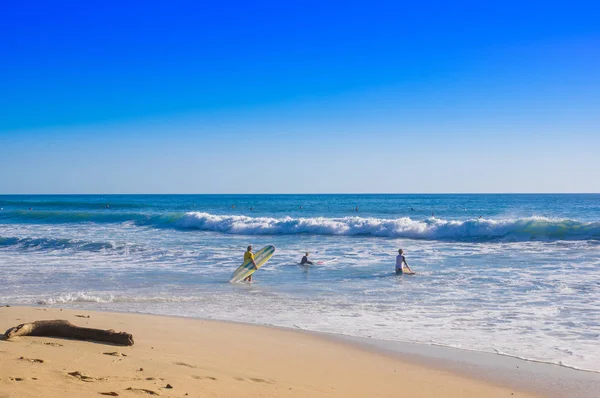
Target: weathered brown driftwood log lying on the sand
x,y
66,329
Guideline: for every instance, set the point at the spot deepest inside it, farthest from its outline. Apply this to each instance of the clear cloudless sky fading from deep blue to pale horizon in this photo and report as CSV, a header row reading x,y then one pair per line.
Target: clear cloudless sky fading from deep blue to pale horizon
x,y
299,96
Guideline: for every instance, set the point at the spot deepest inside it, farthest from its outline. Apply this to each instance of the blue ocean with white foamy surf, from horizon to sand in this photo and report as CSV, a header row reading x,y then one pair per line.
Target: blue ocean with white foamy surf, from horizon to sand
x,y
517,275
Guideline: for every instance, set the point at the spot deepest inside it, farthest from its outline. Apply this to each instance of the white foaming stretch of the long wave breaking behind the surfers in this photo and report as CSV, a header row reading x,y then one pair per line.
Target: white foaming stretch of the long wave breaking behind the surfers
x,y
530,228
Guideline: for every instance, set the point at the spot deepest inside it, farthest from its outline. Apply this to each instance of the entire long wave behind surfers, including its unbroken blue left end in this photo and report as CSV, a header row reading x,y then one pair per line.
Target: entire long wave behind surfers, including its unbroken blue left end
x,y
506,229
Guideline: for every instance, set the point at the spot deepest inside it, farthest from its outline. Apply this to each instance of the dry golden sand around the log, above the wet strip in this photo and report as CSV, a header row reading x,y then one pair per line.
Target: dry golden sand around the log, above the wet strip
x,y
199,358
